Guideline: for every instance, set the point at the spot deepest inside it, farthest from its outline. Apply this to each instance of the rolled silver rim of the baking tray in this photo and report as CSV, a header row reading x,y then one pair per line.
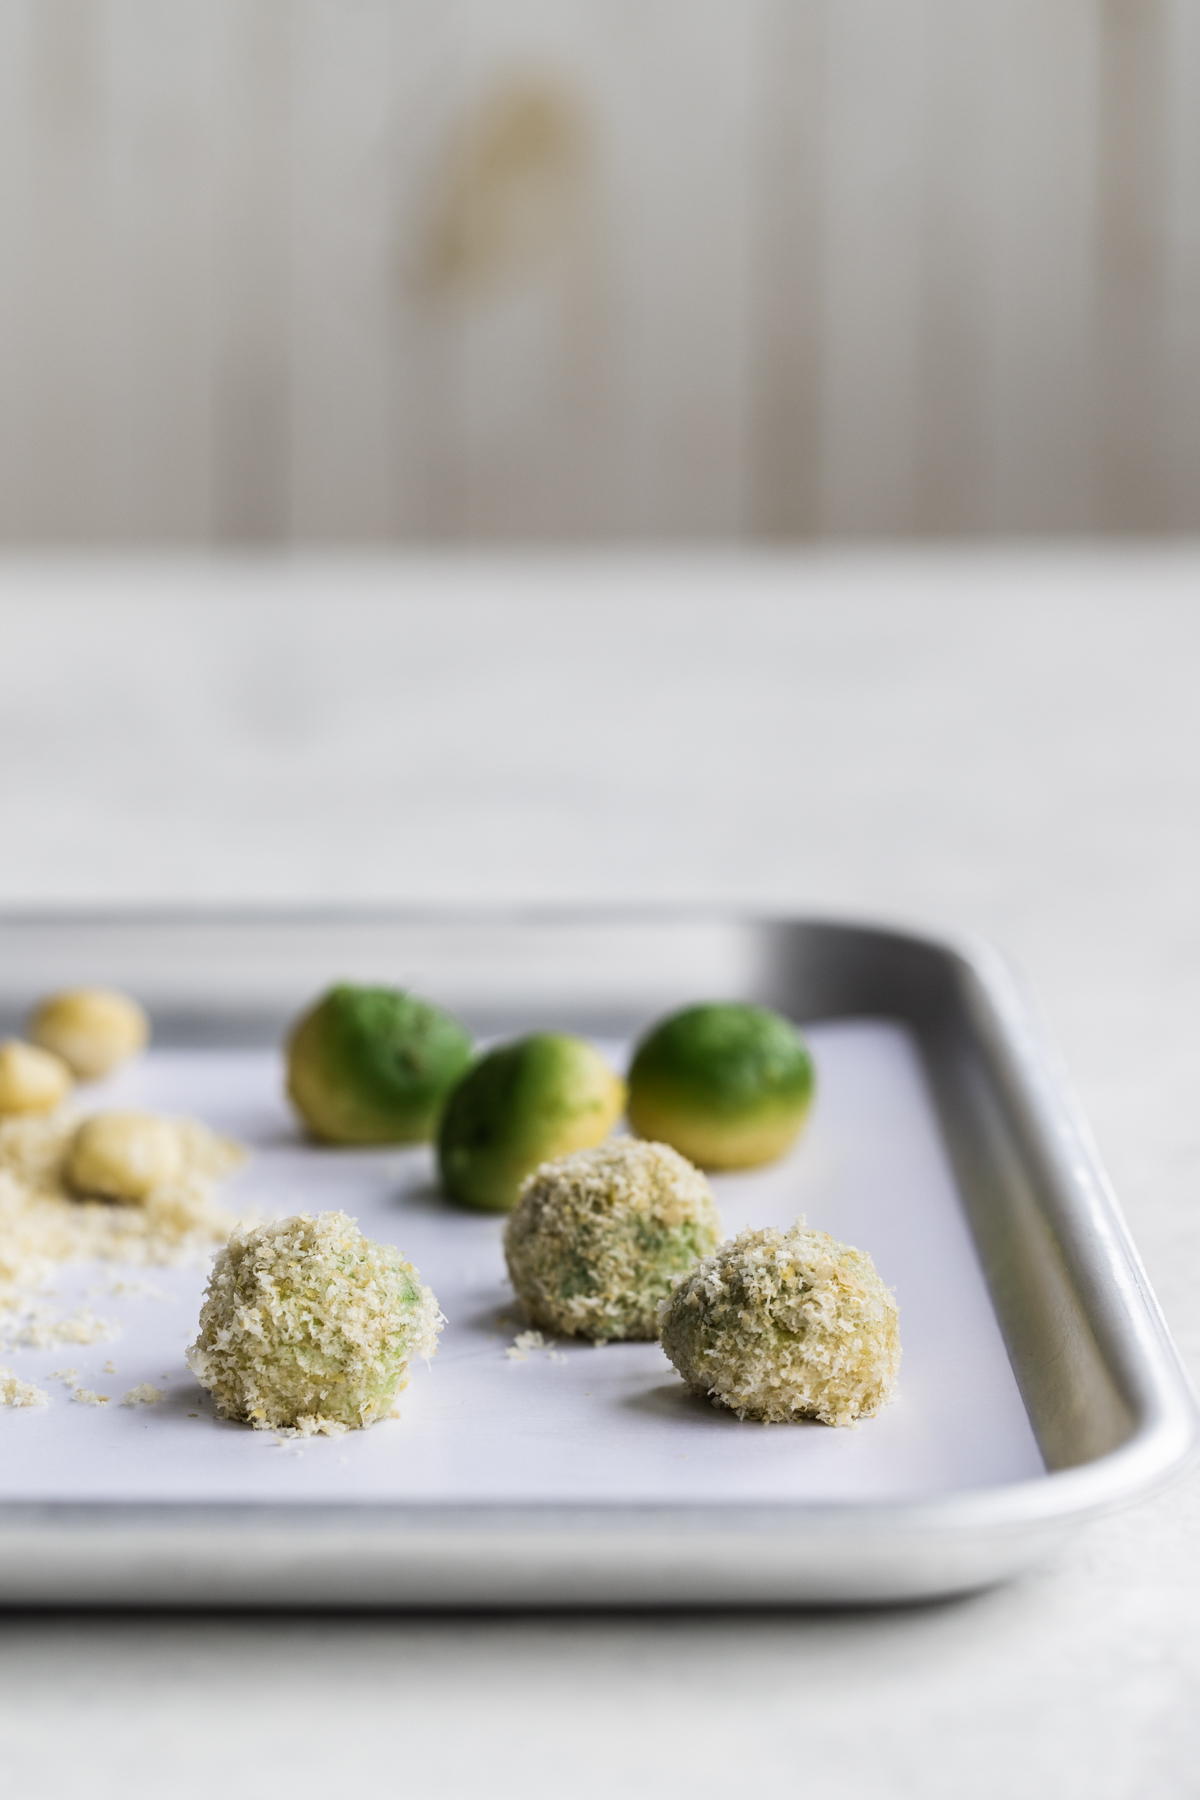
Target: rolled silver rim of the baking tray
x,y
1167,1419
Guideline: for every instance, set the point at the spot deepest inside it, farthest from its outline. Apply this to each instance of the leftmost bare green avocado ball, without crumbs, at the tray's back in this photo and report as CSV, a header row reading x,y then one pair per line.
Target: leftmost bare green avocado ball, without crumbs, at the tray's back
x,y
375,1065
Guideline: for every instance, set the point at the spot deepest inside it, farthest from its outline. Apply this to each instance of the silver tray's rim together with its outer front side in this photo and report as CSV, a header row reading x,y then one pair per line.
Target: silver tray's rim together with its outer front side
x,y
999,1529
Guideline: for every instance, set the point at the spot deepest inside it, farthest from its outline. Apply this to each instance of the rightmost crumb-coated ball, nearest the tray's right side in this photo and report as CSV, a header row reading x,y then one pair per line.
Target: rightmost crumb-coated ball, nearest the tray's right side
x,y
787,1326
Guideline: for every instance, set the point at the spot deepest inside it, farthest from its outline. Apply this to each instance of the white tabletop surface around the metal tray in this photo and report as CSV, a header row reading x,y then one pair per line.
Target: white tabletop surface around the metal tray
x,y
1005,744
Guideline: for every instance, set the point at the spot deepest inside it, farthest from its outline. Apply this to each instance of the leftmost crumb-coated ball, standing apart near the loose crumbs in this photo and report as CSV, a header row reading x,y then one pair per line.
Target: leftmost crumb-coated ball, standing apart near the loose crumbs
x,y
309,1326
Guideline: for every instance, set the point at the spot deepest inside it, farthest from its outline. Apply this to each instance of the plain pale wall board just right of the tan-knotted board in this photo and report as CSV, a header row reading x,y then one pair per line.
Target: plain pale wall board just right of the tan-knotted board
x,y
683,93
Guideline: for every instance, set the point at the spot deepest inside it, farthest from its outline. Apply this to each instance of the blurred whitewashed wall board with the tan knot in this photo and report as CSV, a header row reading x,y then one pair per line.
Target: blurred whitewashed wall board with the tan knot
x,y
528,310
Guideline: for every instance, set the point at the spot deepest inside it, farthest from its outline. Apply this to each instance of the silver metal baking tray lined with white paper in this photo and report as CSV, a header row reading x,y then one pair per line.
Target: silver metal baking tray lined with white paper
x,y
1039,1385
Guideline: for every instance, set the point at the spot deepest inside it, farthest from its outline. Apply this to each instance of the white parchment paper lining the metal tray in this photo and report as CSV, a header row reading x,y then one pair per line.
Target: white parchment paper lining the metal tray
x,y
589,1425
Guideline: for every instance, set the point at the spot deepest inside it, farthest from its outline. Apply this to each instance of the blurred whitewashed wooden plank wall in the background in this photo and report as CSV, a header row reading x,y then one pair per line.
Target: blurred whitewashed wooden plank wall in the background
x,y
336,271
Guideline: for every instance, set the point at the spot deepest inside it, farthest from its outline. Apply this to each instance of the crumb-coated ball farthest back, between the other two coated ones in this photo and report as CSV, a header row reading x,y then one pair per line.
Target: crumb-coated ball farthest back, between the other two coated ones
x,y
600,1237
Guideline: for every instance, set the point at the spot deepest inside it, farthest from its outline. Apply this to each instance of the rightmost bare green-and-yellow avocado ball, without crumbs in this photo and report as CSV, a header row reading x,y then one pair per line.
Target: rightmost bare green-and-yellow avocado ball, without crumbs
x,y
726,1083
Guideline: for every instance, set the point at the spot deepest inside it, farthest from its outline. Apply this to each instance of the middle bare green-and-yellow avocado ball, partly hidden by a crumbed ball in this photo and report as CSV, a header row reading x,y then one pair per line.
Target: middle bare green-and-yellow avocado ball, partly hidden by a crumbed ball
x,y
523,1104
